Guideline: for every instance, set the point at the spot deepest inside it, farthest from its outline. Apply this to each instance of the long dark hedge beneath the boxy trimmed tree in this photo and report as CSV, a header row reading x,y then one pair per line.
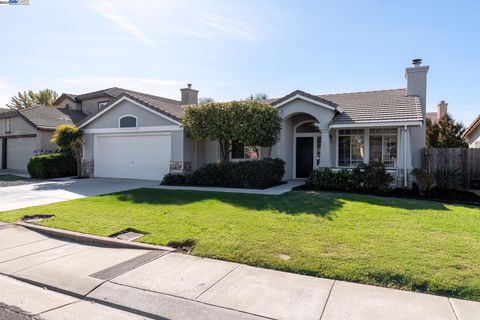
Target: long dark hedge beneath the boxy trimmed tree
x,y
243,174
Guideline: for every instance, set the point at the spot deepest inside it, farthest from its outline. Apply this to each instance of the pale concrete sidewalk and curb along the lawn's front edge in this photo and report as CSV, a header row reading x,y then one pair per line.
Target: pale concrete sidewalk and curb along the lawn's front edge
x,y
166,285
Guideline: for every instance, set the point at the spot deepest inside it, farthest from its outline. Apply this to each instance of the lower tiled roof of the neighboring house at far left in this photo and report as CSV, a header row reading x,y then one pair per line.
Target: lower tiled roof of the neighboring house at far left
x,y
44,117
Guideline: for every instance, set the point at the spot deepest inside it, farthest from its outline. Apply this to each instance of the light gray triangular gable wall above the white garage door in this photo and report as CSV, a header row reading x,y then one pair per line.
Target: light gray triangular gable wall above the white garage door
x,y
145,118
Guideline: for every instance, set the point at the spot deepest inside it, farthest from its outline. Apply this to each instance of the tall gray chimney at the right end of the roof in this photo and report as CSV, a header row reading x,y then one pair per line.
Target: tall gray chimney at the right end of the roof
x,y
417,82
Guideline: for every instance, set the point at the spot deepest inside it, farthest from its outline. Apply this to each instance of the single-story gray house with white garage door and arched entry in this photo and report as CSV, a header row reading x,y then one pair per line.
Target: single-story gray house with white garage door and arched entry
x,y
129,134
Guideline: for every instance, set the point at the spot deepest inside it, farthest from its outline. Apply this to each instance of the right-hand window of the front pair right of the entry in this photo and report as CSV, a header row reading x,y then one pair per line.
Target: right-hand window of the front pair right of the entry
x,y
383,146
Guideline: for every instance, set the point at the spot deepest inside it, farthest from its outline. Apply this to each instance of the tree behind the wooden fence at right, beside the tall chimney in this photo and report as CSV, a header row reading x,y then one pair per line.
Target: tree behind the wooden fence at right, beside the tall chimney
x,y
446,133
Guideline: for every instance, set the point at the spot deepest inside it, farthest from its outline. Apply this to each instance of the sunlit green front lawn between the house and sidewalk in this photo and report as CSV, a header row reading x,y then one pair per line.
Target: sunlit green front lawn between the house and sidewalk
x,y
409,244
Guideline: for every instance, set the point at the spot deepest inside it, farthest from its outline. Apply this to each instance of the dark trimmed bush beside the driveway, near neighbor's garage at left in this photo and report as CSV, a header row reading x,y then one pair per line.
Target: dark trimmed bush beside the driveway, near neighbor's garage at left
x,y
52,165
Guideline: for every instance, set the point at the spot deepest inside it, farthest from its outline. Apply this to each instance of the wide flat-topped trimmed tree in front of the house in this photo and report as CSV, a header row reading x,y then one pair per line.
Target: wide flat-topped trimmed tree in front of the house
x,y
248,122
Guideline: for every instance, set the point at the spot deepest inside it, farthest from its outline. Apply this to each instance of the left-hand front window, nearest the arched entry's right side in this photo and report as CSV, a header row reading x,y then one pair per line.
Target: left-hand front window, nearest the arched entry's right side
x,y
350,147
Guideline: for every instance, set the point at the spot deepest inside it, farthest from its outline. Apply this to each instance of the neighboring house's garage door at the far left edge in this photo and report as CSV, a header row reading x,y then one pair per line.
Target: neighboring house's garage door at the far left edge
x,y
19,152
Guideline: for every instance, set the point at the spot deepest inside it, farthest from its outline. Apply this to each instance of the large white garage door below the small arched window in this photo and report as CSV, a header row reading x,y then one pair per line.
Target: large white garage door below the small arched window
x,y
133,156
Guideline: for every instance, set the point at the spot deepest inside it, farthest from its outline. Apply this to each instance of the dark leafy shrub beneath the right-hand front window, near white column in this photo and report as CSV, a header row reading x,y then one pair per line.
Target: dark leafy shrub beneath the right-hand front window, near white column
x,y
372,177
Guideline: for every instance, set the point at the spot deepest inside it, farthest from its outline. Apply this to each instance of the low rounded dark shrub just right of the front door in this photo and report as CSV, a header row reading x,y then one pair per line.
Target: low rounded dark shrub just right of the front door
x,y
326,179
